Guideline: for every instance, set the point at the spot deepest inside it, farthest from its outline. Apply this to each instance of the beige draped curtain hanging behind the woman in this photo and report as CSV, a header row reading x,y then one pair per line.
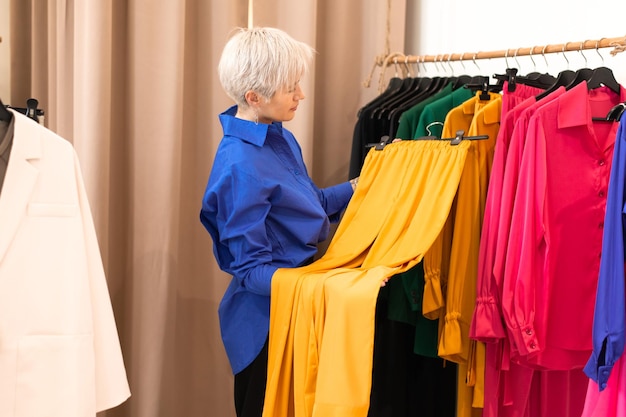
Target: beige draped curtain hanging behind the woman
x,y
132,84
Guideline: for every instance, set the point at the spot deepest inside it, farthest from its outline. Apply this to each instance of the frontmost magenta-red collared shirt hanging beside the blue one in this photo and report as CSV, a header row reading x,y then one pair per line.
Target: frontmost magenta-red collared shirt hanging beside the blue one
x,y
555,240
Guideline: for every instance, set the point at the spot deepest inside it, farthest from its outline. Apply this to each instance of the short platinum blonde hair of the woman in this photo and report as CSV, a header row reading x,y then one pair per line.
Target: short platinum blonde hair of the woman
x,y
264,60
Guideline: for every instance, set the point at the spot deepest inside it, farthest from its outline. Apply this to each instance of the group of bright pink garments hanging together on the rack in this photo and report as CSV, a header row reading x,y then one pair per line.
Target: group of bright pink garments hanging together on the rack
x,y
541,244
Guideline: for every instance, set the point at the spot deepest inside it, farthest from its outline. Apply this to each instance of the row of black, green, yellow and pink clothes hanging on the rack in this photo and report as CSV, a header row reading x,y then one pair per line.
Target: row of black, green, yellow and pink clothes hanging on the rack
x,y
507,290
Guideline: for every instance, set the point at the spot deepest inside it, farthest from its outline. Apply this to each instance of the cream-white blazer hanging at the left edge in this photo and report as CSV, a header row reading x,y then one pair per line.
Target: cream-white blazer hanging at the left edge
x,y
60,354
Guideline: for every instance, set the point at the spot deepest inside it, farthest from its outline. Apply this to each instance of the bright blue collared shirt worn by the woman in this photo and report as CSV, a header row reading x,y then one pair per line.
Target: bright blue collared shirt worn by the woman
x,y
263,212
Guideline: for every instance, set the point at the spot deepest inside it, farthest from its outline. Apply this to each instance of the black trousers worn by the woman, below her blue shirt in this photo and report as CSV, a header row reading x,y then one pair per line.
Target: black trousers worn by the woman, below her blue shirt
x,y
250,387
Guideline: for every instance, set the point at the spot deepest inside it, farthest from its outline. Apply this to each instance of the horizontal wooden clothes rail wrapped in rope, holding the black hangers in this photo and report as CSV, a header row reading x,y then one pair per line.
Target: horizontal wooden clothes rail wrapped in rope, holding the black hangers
x,y
618,44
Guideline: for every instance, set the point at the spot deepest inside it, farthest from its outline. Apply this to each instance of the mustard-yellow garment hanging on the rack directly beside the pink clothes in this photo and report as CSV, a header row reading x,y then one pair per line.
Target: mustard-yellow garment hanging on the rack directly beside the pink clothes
x,y
460,298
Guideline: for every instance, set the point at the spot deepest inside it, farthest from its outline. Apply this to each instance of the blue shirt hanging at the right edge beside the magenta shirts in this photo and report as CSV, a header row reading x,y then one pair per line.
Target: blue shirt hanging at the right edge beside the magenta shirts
x,y
610,308
